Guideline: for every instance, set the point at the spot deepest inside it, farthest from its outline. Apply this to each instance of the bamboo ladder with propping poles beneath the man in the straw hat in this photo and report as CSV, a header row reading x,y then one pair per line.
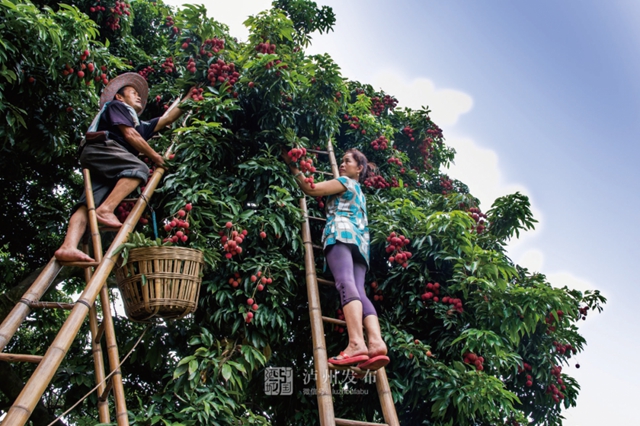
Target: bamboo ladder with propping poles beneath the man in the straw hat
x,y
23,406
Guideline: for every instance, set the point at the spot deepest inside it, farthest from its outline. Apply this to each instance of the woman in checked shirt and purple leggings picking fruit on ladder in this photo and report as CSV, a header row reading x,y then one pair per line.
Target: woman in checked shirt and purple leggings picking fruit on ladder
x,y
346,247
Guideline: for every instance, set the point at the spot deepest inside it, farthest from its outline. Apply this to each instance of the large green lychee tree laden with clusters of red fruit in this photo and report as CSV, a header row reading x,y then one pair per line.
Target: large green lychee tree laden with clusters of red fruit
x,y
473,338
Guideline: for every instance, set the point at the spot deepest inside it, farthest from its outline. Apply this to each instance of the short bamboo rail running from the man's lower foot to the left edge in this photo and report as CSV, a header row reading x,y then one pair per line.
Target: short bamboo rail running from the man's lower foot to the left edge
x,y
19,312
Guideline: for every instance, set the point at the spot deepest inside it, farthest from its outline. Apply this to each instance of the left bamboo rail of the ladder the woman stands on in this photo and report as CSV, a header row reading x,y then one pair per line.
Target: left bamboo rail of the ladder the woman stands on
x,y
323,381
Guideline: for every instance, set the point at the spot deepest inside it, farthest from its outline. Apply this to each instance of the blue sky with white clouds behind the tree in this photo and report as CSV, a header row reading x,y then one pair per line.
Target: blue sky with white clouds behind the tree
x,y
541,97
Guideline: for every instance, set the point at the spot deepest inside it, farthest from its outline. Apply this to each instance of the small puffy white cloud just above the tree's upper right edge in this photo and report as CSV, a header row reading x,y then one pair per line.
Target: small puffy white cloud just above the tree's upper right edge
x,y
447,105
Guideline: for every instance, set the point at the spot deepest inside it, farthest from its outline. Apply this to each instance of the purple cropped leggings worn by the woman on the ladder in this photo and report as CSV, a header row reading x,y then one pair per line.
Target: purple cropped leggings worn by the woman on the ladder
x,y
348,271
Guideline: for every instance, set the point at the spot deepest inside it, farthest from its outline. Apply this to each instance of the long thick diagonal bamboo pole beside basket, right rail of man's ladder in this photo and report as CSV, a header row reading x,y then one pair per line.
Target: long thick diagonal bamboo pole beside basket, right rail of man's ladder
x,y
23,406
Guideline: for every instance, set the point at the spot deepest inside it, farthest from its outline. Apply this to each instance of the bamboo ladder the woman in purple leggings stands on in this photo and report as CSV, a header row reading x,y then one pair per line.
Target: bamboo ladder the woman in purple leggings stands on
x,y
323,387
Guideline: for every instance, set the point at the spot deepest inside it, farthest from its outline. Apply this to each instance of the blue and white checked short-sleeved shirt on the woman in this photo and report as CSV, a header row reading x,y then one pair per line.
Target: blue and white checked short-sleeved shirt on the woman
x,y
347,218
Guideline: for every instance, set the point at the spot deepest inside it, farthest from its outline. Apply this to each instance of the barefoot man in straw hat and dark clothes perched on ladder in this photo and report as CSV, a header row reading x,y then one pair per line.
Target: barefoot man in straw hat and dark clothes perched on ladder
x,y
110,151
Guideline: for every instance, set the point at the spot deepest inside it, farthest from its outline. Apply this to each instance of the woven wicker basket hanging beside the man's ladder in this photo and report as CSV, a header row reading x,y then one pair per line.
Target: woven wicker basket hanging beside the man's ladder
x,y
173,277
